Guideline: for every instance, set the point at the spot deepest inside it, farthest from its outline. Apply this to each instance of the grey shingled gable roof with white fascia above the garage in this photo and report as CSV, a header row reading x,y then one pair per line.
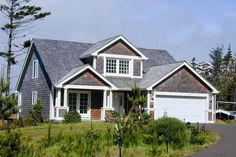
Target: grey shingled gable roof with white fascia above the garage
x,y
168,70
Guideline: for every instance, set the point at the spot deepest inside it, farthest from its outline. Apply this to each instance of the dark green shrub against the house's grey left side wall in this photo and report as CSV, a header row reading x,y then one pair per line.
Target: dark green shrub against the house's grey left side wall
x,y
35,115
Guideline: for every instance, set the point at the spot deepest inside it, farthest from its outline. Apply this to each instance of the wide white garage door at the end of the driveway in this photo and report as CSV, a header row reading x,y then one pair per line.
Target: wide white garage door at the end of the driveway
x,y
186,108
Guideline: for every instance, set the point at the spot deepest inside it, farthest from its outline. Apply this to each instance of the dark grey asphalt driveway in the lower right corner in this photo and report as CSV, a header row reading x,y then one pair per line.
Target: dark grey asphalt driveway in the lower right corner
x,y
226,147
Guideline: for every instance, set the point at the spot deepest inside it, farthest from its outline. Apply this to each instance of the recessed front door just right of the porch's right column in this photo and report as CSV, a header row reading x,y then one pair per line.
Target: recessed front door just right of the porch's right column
x,y
118,103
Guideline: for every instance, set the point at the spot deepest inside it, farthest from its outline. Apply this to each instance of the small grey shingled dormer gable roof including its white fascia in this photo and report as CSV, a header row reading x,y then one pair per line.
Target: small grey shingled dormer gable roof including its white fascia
x,y
99,46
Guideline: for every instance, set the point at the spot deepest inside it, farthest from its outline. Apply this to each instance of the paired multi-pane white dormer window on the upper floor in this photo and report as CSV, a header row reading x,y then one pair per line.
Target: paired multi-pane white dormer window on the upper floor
x,y
117,67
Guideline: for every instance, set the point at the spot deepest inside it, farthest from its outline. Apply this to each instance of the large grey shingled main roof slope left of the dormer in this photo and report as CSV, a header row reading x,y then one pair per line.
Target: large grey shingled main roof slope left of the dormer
x,y
59,57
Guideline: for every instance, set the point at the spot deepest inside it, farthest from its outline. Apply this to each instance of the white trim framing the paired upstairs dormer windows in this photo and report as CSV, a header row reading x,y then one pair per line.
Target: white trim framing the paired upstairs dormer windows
x,y
130,74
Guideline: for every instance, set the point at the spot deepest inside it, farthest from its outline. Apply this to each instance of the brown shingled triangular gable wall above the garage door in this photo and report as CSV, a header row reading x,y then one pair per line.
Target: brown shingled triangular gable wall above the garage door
x,y
182,81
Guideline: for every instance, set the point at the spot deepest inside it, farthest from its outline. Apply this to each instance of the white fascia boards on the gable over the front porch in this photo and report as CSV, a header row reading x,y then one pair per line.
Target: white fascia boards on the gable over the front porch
x,y
60,85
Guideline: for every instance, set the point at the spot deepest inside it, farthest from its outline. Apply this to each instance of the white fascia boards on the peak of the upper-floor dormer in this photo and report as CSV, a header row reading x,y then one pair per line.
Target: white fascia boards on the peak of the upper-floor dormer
x,y
126,41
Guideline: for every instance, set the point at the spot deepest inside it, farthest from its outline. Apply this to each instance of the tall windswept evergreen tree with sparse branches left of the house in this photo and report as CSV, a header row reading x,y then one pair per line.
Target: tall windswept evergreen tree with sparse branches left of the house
x,y
20,16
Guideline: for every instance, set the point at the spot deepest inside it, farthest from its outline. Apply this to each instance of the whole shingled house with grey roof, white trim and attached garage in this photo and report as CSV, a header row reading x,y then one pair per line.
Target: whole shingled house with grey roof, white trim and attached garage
x,y
94,78
